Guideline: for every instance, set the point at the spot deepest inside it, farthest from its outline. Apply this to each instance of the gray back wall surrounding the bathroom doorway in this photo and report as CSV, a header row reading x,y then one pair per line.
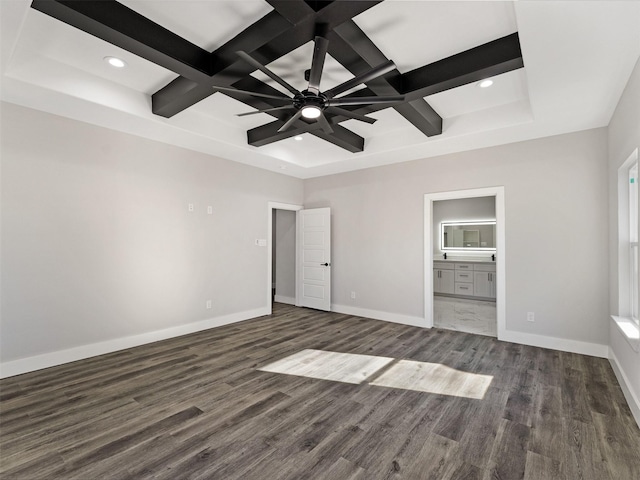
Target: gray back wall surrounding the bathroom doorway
x,y
556,206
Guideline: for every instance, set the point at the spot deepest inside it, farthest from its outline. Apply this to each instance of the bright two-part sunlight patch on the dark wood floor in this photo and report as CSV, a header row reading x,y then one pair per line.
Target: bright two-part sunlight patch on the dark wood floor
x,y
383,372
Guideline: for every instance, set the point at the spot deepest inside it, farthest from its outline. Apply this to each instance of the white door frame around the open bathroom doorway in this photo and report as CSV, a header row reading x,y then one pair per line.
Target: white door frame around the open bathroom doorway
x,y
429,198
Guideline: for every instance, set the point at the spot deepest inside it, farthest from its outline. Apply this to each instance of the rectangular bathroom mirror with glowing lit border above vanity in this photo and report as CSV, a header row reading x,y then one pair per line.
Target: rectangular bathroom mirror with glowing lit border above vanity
x,y
468,235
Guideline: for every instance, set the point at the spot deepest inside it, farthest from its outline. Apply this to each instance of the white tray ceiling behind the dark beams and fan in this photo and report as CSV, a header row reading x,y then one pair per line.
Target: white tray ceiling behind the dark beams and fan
x,y
578,56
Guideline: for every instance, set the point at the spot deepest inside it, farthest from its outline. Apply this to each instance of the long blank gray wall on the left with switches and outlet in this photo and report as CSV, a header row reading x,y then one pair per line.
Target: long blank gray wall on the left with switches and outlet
x,y
97,241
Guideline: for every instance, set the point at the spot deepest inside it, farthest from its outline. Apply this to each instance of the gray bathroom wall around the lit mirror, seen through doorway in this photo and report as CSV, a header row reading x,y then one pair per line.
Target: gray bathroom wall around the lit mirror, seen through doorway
x,y
461,210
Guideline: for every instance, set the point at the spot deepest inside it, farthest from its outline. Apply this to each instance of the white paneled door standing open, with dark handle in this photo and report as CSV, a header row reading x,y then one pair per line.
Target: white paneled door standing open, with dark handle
x,y
314,250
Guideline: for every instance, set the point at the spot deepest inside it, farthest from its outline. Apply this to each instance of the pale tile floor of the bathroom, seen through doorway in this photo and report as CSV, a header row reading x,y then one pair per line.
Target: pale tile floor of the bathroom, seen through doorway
x,y
471,316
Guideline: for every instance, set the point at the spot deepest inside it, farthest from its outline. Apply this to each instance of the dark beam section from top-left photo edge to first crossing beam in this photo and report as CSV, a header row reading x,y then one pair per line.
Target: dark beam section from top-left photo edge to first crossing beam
x,y
121,26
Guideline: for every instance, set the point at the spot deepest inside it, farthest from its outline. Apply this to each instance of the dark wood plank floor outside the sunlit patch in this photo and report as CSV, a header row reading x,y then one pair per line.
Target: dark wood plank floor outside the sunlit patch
x,y
197,407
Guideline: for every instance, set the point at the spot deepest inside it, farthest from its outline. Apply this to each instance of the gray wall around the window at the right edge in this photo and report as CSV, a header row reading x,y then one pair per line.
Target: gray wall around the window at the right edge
x,y
624,137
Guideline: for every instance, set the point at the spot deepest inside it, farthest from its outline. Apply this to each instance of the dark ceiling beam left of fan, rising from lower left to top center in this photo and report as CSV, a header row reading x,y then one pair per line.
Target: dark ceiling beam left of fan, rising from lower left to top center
x,y
301,21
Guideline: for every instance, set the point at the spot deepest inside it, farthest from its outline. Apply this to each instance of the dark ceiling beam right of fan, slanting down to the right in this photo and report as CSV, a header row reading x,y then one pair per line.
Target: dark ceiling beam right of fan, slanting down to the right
x,y
350,46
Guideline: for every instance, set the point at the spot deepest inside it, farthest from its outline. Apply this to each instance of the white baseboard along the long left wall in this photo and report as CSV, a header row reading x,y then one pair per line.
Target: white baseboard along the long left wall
x,y
37,362
